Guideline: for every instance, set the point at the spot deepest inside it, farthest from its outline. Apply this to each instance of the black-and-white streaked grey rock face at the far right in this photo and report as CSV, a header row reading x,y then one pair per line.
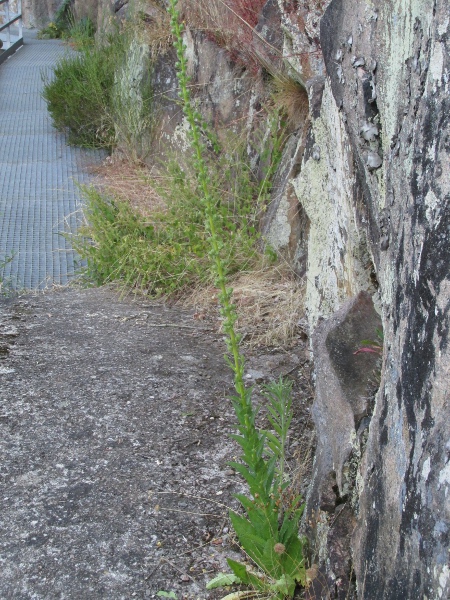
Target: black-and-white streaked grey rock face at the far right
x,y
401,538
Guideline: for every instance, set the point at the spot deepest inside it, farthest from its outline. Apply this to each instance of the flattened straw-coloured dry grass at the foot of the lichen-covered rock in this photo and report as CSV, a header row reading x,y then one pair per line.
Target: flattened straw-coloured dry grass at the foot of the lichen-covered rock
x,y
269,304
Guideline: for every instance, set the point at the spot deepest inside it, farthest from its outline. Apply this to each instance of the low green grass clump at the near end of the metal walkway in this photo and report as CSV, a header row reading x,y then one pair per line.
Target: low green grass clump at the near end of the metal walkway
x,y
169,250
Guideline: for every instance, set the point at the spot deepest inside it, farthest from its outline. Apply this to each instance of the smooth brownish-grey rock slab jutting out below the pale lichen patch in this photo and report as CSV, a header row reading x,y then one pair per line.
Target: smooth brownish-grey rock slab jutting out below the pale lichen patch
x,y
341,412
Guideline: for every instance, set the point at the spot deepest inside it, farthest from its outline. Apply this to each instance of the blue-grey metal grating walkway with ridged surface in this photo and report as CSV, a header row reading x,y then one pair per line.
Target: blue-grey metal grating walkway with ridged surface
x,y
38,195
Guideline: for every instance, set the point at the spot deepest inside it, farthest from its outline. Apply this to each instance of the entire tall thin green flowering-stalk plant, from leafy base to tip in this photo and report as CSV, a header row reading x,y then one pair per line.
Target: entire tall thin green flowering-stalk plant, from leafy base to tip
x,y
268,530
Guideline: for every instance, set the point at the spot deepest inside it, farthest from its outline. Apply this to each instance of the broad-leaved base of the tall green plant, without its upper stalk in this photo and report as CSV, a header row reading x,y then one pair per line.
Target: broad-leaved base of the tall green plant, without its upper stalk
x,y
268,533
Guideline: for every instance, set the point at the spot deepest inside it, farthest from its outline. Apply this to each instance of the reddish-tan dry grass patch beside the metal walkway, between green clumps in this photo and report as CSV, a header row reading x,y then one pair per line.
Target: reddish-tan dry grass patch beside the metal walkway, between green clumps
x,y
130,183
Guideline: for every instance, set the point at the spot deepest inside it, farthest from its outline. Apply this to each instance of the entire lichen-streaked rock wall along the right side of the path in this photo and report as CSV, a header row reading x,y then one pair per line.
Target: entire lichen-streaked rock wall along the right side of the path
x,y
374,183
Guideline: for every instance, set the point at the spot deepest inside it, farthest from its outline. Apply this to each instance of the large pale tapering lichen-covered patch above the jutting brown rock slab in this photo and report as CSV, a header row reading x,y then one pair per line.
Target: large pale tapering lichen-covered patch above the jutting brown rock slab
x,y
325,189
